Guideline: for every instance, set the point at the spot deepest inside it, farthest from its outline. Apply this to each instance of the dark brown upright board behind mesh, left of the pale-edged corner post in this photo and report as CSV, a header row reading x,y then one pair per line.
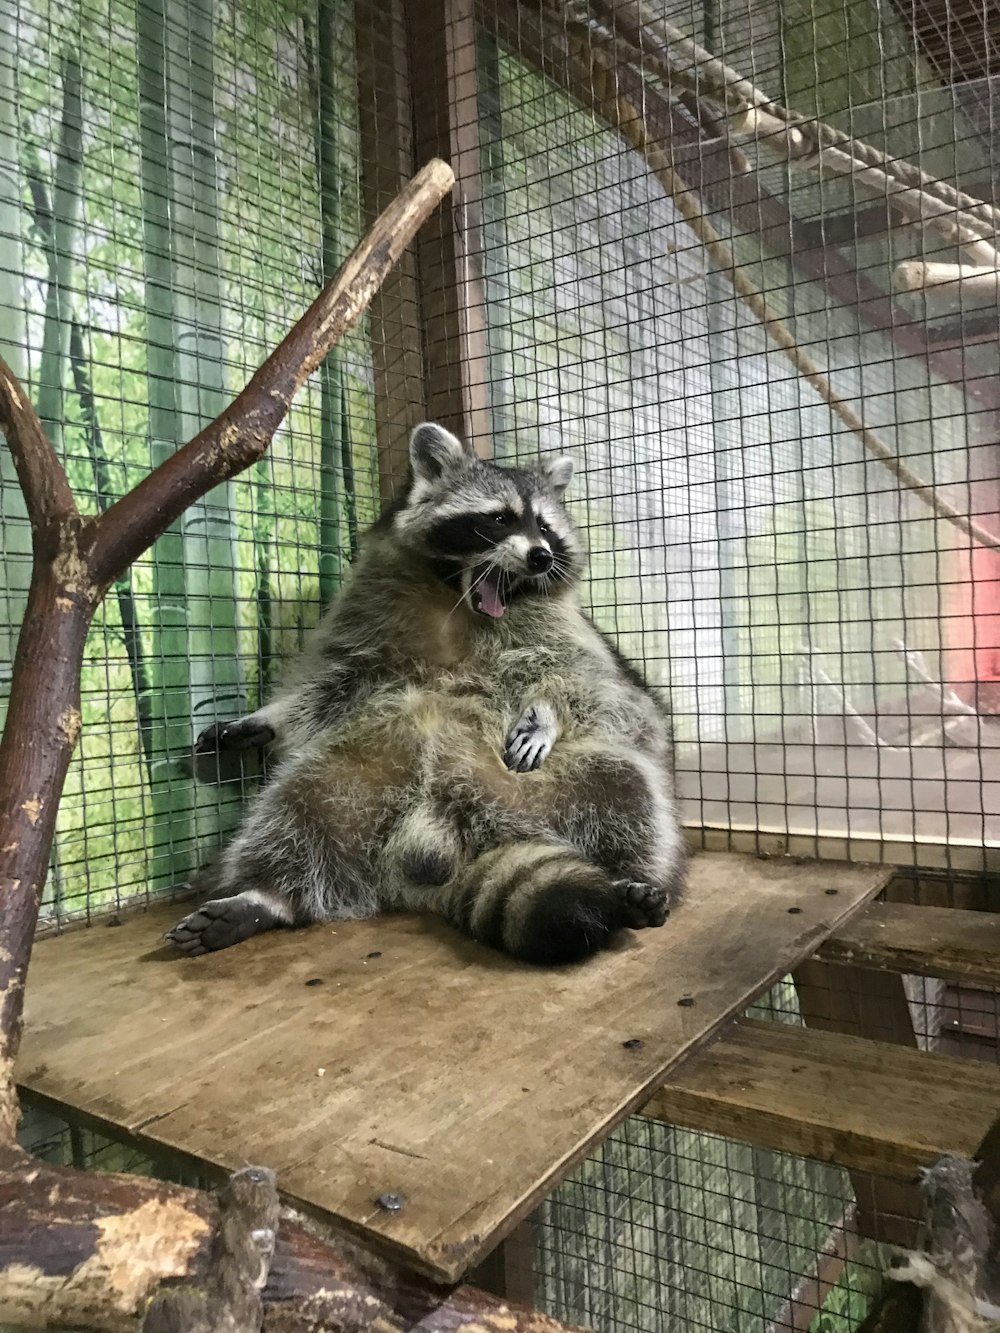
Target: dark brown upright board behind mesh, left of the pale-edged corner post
x,y
387,161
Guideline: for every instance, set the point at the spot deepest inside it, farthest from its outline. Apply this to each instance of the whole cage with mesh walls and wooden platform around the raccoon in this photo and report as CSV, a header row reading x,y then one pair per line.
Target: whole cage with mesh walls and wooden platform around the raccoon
x,y
741,262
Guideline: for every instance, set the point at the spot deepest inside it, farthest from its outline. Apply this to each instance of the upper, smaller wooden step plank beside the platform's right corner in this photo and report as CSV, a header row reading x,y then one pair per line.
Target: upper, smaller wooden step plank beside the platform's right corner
x,y
925,942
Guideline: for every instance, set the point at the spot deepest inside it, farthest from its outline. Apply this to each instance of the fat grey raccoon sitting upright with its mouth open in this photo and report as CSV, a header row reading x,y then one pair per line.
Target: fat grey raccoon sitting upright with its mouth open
x,y
458,738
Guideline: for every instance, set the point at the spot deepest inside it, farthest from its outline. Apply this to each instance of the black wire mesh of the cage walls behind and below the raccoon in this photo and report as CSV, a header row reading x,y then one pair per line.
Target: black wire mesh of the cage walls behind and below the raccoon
x,y
830,647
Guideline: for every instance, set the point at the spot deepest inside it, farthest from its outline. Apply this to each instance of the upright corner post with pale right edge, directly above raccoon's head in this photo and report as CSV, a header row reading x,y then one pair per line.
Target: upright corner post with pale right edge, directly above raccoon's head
x,y
442,51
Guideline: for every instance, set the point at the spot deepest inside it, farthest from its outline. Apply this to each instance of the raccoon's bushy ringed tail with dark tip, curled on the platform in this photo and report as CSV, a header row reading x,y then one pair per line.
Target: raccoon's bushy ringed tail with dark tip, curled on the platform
x,y
546,904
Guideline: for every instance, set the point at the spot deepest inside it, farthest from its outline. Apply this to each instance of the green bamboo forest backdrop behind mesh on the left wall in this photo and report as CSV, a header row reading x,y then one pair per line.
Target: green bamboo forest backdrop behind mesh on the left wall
x,y
175,182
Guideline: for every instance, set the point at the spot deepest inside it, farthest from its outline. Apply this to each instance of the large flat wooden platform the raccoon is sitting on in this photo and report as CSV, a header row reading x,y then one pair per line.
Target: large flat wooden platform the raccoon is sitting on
x,y
422,1064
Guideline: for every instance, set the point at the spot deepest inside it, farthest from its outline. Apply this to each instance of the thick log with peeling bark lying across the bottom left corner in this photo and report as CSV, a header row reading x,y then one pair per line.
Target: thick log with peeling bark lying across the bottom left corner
x,y
90,1251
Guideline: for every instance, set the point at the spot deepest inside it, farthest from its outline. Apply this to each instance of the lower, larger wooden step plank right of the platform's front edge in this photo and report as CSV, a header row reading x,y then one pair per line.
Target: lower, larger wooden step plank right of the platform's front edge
x,y
861,1104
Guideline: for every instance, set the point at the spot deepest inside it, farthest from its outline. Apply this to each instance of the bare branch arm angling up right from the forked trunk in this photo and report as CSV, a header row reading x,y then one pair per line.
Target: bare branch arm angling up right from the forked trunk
x,y
241,435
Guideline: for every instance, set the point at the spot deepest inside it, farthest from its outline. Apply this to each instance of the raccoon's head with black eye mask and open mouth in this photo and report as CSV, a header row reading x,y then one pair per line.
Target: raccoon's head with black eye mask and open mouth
x,y
495,535
